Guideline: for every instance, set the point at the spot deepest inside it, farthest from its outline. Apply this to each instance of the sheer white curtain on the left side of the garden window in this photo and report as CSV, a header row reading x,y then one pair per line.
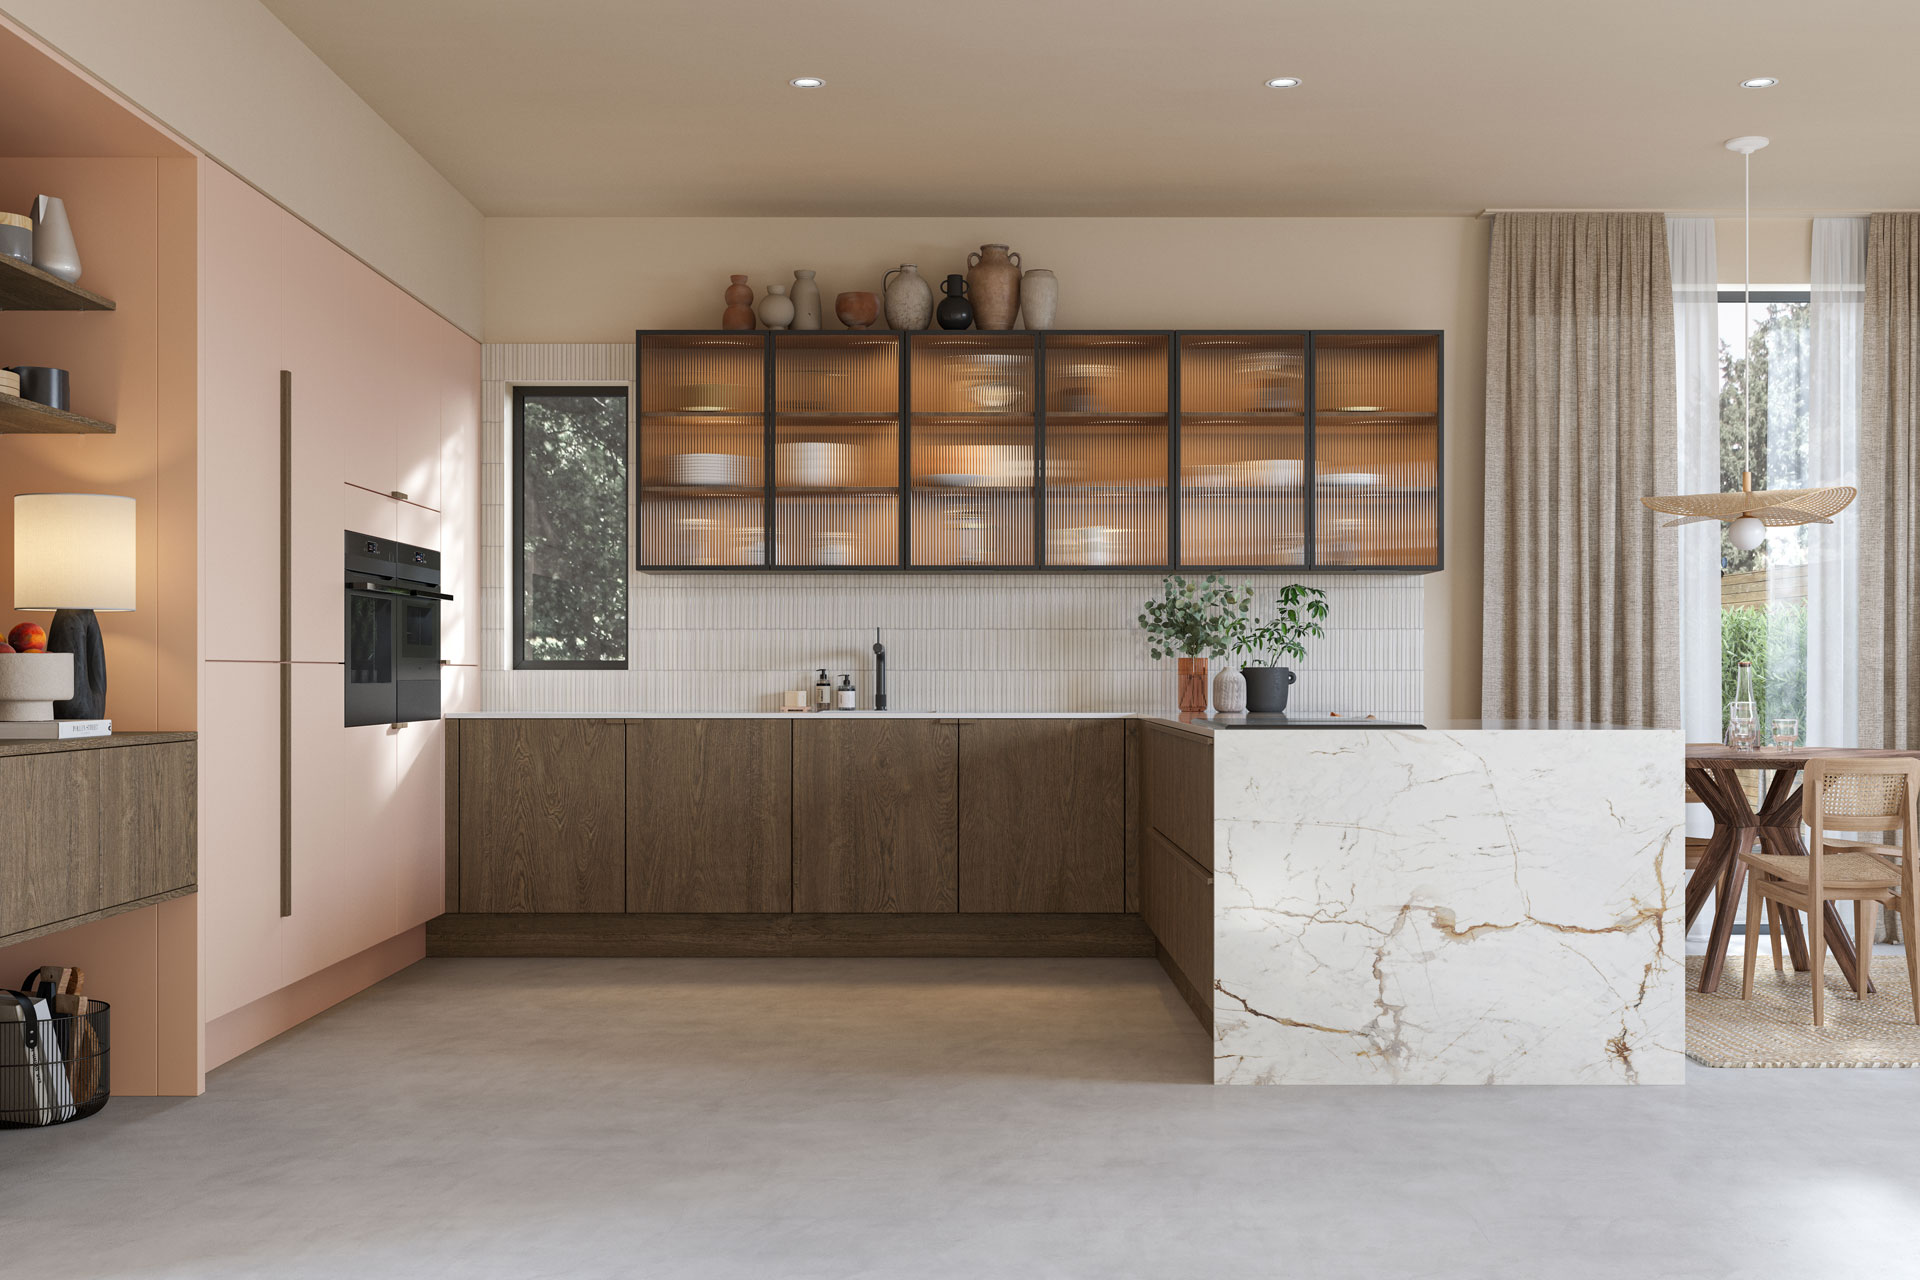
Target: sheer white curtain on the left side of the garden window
x,y
1698,366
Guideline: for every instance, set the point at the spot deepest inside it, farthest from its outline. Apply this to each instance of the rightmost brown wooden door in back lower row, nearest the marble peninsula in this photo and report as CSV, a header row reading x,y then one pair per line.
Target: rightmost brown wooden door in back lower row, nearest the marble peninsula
x,y
1044,817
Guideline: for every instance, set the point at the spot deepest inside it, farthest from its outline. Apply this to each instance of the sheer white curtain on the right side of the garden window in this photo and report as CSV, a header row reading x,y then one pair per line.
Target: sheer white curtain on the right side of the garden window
x,y
1836,318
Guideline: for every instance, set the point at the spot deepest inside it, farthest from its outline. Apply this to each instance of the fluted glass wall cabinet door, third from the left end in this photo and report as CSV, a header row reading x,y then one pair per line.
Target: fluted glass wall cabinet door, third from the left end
x,y
972,442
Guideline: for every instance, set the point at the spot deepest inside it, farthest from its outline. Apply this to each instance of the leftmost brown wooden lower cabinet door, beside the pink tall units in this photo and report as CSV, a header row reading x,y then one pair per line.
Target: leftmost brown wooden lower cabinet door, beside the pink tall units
x,y
542,817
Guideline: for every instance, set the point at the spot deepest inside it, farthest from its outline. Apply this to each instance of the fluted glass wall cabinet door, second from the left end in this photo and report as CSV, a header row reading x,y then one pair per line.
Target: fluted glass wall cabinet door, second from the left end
x,y
836,450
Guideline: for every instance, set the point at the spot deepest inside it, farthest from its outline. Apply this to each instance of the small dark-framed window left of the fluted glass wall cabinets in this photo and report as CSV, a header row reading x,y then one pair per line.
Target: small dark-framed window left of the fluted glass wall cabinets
x,y
569,527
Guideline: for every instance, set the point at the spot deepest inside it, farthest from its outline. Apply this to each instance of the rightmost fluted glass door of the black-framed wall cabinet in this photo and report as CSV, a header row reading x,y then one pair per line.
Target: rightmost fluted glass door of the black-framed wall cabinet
x,y
1376,450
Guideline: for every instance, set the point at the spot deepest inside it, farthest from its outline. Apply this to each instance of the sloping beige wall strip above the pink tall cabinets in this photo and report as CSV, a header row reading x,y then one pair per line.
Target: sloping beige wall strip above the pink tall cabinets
x,y
231,80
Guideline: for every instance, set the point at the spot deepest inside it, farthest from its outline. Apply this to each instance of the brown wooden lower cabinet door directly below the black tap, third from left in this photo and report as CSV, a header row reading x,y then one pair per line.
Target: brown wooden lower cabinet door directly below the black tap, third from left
x,y
875,815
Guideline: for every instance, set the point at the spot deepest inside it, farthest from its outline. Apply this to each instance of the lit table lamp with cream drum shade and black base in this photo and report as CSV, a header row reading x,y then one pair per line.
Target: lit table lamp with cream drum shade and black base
x,y
76,554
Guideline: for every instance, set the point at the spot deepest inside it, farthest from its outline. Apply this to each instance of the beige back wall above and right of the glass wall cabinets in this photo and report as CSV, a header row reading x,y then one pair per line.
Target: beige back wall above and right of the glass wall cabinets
x,y
602,279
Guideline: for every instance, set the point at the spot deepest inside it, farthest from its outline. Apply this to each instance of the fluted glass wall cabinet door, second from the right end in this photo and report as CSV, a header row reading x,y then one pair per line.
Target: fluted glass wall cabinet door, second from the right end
x,y
1243,450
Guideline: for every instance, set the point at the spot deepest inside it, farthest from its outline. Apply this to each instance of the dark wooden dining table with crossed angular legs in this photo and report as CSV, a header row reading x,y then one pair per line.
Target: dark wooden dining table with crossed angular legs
x,y
1714,772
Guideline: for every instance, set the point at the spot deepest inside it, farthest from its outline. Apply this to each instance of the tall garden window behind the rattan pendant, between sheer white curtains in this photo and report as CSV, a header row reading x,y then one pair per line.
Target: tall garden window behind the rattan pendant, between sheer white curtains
x,y
1764,592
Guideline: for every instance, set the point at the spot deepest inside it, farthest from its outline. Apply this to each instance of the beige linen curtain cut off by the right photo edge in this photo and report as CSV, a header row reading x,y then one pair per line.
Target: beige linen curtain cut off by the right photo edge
x,y
1890,479
